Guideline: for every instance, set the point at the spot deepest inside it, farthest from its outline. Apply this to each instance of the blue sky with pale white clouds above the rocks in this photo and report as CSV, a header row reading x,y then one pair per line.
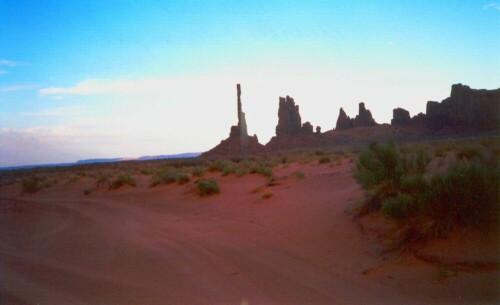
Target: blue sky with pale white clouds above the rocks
x,y
103,79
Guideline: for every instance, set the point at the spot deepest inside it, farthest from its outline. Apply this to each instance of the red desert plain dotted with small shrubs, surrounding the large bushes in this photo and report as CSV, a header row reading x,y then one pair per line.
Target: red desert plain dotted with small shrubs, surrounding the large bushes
x,y
291,227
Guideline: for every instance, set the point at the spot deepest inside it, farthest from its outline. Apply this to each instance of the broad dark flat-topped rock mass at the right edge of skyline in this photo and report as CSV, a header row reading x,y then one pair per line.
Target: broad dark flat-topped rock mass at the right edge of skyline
x,y
466,107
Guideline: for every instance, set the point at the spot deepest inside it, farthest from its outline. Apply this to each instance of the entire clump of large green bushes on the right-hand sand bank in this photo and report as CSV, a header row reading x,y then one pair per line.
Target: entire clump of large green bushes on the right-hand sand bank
x,y
464,194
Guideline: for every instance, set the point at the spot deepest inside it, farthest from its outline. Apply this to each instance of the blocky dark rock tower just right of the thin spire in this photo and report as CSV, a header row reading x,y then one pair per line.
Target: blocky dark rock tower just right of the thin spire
x,y
289,121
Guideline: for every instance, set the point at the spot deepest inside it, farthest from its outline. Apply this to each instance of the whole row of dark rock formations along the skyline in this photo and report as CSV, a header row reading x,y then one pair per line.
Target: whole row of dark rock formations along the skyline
x,y
466,112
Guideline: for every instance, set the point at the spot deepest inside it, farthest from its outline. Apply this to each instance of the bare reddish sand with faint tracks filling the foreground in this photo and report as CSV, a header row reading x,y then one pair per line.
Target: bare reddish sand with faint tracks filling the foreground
x,y
166,245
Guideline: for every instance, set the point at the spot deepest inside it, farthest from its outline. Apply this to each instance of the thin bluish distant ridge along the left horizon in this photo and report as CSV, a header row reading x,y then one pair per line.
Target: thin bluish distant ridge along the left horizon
x,y
106,160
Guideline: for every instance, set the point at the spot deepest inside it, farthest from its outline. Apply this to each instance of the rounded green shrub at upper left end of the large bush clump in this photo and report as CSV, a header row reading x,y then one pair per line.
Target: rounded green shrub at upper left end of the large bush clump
x,y
378,164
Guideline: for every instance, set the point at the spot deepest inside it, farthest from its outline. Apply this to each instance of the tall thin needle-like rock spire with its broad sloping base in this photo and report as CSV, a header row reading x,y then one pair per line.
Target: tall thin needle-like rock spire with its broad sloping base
x,y
238,142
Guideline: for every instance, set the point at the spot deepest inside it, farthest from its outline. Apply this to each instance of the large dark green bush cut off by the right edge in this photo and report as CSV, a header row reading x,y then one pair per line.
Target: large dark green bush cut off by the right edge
x,y
465,195
